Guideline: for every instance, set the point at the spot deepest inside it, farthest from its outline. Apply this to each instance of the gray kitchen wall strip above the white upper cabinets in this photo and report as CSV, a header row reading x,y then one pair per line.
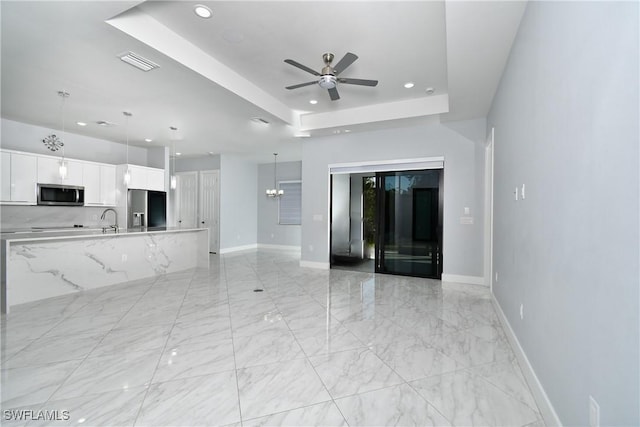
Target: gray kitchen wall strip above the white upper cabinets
x,y
28,138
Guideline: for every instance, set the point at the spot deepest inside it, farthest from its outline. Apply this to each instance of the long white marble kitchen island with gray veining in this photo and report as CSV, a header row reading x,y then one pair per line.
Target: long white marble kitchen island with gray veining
x,y
39,265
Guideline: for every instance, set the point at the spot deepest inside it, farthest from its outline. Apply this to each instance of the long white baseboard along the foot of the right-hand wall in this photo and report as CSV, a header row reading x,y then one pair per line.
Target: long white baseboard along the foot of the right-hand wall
x,y
544,404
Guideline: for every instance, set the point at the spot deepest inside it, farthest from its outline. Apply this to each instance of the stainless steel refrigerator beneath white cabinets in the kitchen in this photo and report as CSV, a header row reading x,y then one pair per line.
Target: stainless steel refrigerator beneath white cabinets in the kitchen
x,y
146,209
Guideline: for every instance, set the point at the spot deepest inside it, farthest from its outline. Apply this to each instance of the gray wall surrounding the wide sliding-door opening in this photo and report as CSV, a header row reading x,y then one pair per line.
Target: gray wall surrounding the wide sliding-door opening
x,y
462,243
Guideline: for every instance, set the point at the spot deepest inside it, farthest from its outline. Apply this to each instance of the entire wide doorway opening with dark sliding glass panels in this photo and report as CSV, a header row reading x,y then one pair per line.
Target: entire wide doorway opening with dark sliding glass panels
x,y
388,222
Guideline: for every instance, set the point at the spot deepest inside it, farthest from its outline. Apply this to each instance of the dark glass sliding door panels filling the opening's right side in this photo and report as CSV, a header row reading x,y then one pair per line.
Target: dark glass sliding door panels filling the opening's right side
x,y
409,223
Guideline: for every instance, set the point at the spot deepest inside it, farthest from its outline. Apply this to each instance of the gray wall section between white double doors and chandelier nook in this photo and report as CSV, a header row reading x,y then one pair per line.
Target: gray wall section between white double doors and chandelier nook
x,y
238,202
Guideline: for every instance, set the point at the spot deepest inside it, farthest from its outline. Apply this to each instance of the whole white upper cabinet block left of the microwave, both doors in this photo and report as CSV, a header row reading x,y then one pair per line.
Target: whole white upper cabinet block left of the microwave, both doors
x,y
19,172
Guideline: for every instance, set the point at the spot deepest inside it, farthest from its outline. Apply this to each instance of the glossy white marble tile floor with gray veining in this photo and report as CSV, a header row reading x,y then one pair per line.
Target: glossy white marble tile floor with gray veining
x,y
201,348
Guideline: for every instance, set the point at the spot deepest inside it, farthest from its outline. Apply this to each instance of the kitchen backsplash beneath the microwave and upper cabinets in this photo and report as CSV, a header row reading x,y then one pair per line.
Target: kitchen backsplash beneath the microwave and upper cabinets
x,y
13,217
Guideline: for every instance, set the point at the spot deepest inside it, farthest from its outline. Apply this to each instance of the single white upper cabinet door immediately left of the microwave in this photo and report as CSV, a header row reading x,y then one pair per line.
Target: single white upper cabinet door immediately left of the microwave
x,y
22,176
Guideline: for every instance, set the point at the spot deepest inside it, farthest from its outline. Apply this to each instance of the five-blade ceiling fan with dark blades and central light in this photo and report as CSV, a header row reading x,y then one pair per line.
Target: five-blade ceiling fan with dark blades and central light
x,y
329,75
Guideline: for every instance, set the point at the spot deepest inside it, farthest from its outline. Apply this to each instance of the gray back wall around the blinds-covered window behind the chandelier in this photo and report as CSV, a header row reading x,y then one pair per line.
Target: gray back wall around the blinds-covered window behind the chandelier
x,y
269,231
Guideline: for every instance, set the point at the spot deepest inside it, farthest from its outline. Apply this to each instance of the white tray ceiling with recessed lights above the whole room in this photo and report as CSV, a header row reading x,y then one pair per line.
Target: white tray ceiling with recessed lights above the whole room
x,y
216,74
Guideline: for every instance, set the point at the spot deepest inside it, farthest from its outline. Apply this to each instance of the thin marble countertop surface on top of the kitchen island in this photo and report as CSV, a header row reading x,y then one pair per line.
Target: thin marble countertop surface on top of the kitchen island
x,y
25,235
